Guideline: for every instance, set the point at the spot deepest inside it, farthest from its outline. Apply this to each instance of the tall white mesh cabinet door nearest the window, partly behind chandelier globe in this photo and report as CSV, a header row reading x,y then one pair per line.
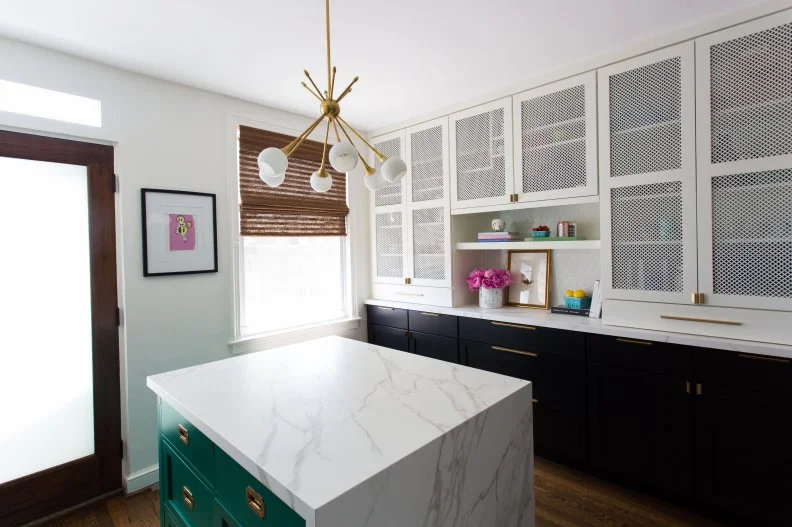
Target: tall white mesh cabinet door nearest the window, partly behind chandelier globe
x,y
389,218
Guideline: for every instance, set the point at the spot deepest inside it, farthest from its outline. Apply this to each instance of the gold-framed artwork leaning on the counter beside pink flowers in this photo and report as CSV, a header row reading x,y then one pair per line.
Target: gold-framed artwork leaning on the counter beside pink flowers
x,y
531,273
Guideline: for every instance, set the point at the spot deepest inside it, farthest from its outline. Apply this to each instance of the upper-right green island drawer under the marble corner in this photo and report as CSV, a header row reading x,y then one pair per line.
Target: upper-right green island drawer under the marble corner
x,y
247,499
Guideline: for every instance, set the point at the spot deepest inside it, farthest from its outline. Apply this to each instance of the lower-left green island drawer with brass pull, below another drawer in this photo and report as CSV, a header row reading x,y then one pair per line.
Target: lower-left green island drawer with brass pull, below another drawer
x,y
184,491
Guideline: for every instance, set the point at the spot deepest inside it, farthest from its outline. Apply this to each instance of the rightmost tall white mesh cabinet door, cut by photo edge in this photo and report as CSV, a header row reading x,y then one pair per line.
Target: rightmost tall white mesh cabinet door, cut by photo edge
x,y
744,112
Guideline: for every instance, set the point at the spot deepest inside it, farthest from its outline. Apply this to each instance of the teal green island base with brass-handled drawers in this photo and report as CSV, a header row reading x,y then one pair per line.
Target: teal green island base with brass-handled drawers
x,y
201,486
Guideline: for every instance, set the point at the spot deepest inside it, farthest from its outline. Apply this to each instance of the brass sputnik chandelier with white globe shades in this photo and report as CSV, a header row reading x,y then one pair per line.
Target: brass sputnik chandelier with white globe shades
x,y
344,157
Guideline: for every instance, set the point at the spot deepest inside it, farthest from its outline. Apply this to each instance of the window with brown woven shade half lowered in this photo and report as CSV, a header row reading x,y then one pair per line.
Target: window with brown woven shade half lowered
x,y
293,246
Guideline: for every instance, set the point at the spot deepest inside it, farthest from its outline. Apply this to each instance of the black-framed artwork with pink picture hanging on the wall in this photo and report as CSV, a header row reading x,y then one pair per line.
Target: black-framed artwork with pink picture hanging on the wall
x,y
179,232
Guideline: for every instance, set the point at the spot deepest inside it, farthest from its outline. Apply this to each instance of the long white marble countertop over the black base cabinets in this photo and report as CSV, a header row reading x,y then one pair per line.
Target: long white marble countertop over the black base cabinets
x,y
544,318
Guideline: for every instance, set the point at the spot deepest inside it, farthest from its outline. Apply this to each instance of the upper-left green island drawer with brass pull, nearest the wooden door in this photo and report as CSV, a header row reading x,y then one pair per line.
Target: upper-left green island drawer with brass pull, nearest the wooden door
x,y
187,440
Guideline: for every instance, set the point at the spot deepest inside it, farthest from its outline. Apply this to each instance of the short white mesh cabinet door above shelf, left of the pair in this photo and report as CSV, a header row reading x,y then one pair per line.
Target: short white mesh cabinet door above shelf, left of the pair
x,y
481,155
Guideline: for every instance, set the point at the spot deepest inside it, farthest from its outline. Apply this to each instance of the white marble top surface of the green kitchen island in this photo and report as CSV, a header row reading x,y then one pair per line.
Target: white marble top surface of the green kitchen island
x,y
316,419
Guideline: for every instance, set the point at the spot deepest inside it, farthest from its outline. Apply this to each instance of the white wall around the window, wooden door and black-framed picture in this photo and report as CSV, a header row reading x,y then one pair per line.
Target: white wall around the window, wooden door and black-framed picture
x,y
173,137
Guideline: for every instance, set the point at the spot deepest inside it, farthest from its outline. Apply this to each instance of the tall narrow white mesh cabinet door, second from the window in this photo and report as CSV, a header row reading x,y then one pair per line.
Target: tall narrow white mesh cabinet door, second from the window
x,y
428,211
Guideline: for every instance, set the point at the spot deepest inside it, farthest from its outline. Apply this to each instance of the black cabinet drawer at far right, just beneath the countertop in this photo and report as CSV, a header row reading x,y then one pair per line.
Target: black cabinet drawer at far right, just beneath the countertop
x,y
757,373
